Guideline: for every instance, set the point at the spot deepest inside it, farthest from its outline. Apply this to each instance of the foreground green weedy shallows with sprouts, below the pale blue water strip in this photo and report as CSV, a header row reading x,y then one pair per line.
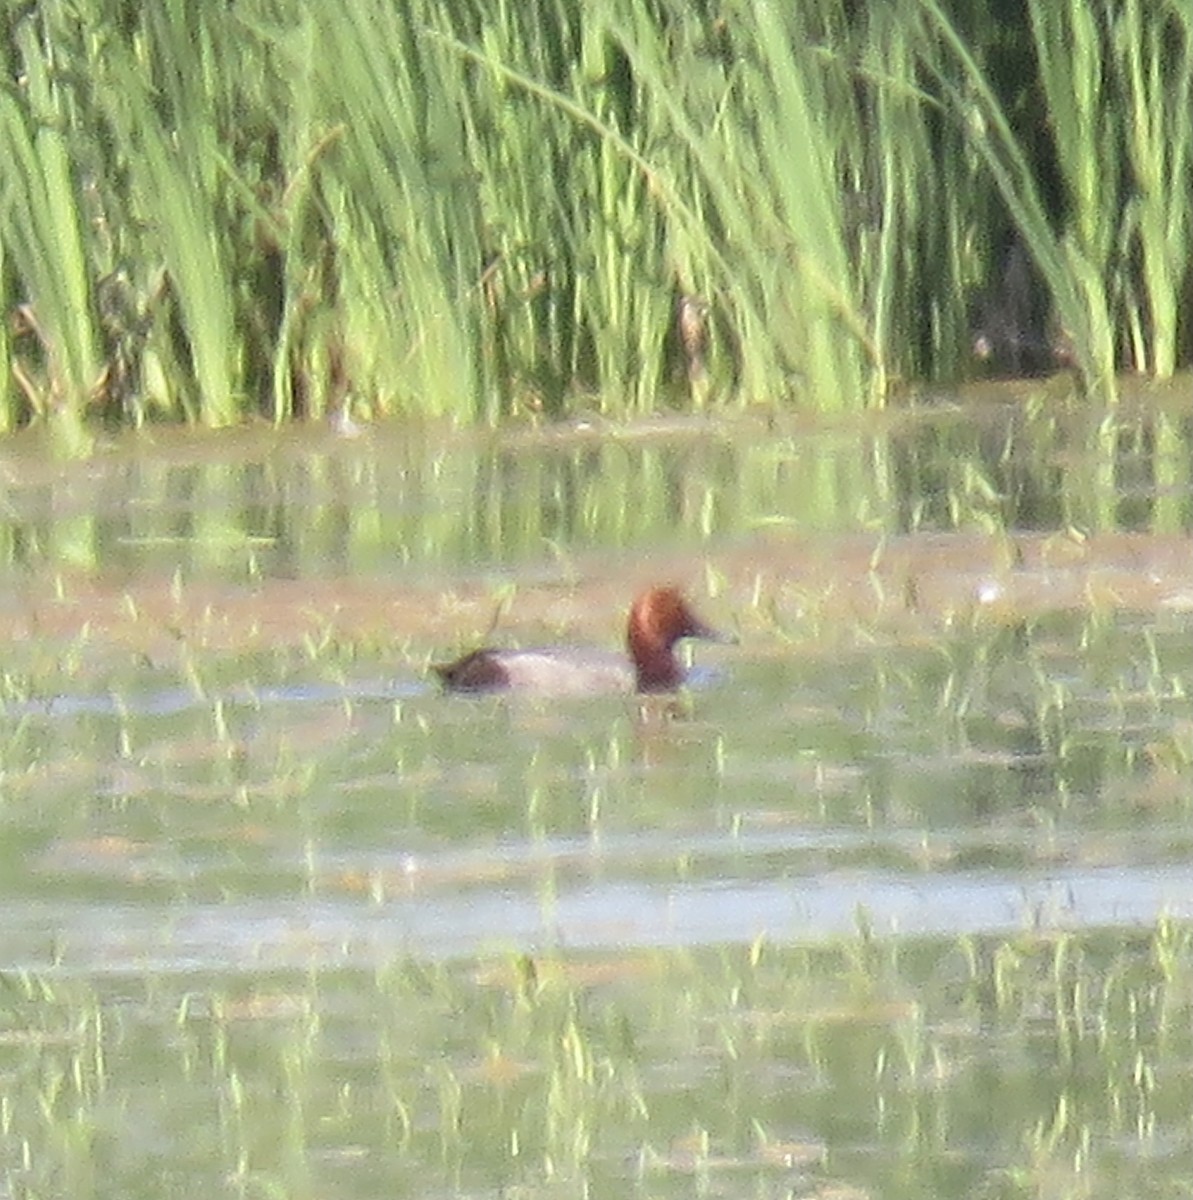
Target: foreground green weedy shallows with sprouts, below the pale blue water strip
x,y
999,1066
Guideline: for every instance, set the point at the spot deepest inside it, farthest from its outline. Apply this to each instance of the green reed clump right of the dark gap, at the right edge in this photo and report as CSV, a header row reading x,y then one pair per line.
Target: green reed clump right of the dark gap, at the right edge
x,y
1112,239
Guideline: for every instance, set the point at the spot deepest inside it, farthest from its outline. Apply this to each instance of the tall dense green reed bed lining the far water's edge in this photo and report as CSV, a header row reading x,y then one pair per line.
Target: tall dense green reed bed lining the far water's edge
x,y
484,211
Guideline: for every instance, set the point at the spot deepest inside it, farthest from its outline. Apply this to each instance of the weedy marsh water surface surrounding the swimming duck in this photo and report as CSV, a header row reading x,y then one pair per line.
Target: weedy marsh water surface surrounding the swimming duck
x,y
894,903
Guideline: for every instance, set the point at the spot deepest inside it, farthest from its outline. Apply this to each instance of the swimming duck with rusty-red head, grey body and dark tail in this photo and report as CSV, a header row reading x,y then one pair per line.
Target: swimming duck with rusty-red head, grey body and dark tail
x,y
660,619
